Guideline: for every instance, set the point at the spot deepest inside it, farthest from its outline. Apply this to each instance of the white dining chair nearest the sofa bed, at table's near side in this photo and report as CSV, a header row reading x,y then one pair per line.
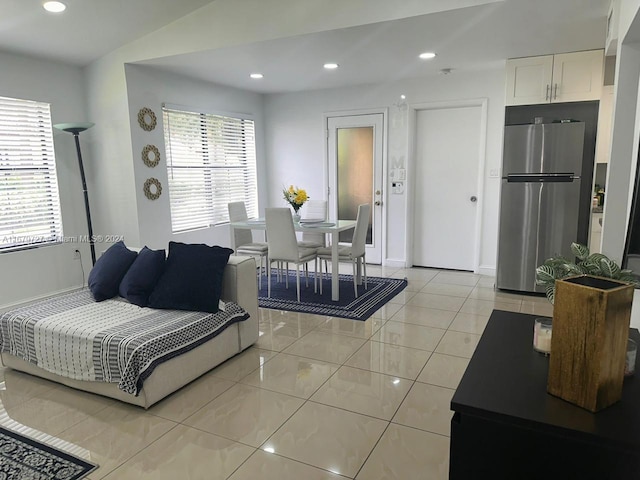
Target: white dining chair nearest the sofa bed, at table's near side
x,y
283,247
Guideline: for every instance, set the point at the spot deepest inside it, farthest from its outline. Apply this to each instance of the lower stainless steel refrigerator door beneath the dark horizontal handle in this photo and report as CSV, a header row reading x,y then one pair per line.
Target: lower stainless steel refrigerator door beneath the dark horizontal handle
x,y
538,220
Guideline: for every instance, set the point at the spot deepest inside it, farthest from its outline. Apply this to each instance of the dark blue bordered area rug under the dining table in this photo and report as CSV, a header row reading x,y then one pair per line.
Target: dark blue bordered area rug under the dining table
x,y
380,291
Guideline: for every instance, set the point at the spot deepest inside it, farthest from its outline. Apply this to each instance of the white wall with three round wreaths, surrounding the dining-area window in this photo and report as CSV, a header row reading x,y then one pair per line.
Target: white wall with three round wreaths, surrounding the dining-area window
x,y
149,87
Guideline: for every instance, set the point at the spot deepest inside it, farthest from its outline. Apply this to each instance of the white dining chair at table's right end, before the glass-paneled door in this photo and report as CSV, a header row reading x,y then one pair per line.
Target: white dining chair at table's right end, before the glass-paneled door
x,y
355,253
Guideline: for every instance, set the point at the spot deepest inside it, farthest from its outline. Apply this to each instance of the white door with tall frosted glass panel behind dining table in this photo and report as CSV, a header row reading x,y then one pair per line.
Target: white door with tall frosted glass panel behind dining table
x,y
354,156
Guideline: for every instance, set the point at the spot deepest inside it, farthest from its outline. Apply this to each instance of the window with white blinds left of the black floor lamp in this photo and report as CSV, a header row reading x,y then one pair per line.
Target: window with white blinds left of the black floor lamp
x,y
29,199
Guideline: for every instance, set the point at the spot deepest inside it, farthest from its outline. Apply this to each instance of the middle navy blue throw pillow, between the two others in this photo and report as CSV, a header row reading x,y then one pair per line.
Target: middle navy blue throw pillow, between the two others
x,y
142,276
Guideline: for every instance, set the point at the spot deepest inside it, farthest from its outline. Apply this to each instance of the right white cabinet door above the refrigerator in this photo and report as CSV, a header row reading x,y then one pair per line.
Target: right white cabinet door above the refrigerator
x,y
577,76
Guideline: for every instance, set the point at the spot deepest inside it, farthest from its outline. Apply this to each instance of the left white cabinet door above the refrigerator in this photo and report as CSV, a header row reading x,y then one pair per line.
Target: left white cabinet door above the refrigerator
x,y
529,80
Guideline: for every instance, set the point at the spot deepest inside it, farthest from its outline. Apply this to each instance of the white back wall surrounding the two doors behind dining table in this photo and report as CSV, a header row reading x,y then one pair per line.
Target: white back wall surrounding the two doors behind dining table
x,y
296,145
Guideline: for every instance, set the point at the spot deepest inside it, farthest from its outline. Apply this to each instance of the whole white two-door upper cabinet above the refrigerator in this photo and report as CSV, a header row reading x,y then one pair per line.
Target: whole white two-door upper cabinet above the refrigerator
x,y
565,77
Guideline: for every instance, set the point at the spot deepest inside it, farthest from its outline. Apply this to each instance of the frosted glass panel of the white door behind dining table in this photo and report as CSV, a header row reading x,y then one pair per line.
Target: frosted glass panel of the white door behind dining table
x,y
355,174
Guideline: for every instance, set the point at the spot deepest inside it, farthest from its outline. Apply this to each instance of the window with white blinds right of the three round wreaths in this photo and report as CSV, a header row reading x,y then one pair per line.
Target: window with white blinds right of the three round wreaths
x,y
211,161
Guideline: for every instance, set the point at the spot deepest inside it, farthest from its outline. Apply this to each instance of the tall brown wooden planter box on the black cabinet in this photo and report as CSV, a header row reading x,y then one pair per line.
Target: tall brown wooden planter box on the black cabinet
x,y
591,318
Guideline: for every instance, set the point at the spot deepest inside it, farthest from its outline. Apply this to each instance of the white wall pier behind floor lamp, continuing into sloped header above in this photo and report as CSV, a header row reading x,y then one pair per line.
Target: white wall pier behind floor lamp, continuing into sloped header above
x,y
219,24
